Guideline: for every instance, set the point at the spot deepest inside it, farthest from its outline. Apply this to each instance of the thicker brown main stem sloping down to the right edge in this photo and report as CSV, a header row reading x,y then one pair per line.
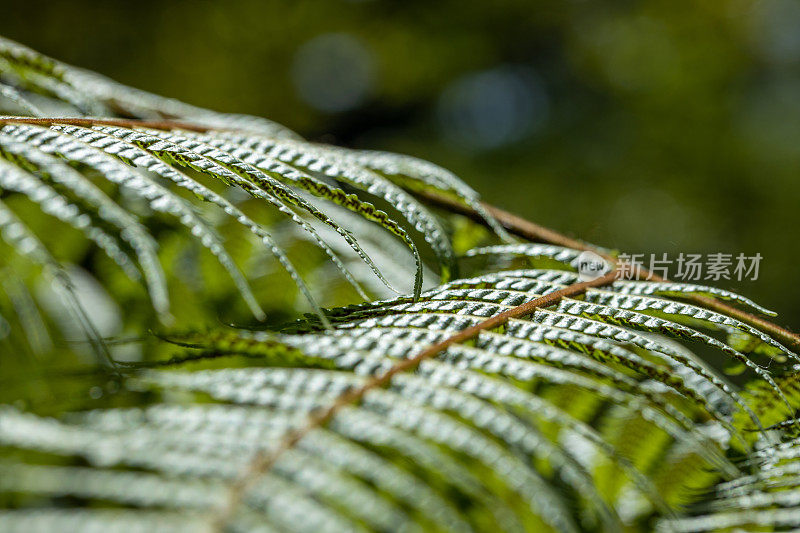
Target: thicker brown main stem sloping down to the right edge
x,y
523,228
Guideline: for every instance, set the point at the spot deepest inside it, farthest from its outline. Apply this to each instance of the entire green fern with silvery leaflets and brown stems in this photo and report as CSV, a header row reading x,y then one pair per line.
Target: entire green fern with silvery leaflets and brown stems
x,y
451,372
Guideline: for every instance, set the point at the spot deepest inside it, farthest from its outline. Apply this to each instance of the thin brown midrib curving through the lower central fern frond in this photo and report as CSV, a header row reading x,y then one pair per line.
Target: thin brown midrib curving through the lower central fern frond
x,y
264,461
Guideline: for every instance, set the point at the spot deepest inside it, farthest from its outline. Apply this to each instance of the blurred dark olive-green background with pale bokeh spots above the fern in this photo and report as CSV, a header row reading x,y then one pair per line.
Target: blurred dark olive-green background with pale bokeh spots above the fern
x,y
665,126
